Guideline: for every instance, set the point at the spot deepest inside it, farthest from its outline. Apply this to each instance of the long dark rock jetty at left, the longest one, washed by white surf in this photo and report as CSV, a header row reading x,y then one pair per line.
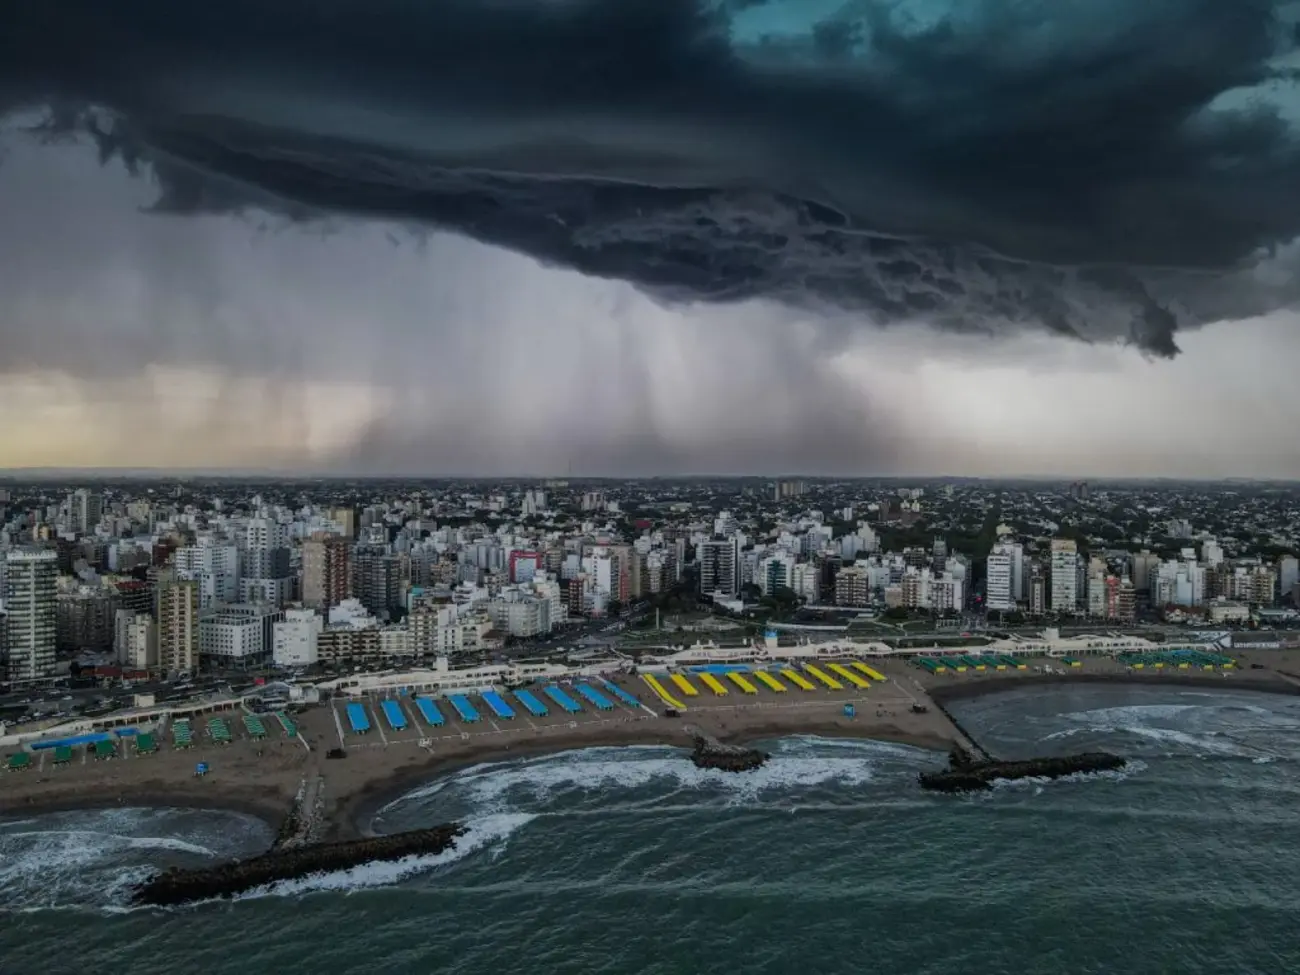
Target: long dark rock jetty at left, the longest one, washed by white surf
x,y
180,886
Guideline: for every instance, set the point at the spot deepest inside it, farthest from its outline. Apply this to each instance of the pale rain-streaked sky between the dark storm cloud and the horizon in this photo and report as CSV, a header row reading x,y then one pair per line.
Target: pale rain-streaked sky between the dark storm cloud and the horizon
x,y
137,340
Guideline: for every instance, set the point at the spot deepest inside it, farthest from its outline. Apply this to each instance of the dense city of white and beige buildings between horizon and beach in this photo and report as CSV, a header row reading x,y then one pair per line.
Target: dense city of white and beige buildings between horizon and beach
x,y
144,580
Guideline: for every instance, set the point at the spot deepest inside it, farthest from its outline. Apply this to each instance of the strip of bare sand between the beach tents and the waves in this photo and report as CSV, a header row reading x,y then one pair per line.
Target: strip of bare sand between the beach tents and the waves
x,y
358,788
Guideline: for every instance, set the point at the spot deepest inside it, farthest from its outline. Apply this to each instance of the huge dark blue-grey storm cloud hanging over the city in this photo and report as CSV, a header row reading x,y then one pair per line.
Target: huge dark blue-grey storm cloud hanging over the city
x,y
1076,166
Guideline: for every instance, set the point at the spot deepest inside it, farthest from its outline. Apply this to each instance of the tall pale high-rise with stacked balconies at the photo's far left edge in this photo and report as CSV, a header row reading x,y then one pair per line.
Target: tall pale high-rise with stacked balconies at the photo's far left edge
x,y
32,608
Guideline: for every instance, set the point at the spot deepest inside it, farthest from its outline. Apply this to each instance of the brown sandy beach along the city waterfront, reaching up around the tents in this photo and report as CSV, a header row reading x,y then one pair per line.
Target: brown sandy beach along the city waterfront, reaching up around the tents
x,y
263,778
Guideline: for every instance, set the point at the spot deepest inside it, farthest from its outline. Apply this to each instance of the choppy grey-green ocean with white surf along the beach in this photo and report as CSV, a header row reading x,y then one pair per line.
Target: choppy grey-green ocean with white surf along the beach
x,y
829,860
